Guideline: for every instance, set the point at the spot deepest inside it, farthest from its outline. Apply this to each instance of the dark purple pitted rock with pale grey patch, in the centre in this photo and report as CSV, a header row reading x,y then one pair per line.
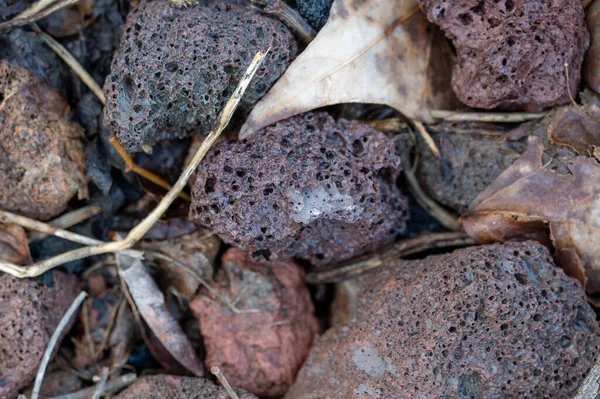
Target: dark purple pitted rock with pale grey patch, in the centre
x,y
307,187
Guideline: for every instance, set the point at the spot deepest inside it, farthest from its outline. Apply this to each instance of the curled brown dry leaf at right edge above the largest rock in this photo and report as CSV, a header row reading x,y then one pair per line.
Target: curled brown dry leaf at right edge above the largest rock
x,y
526,200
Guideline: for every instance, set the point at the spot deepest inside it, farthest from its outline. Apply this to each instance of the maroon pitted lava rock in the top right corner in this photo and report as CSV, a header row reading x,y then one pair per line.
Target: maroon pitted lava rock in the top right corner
x,y
511,53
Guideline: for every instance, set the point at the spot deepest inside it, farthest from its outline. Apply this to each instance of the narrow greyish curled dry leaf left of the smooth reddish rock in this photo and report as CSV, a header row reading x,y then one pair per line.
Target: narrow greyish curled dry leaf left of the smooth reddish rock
x,y
152,306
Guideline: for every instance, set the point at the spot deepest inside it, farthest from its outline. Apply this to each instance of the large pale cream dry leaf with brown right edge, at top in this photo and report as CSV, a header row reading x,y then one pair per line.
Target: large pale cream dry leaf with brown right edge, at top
x,y
371,51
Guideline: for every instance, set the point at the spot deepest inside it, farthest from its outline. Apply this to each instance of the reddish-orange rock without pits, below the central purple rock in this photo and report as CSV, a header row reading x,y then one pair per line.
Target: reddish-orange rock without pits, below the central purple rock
x,y
262,347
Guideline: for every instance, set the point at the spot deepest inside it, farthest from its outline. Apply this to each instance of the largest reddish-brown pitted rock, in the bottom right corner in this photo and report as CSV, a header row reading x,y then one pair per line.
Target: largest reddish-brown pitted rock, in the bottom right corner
x,y
494,321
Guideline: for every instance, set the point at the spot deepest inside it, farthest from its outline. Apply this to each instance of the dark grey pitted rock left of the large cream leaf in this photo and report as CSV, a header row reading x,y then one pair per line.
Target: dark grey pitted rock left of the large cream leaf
x,y
177,67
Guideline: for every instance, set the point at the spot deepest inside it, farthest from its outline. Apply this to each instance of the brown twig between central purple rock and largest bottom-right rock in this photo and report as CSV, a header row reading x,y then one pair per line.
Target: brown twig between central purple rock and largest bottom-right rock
x,y
400,249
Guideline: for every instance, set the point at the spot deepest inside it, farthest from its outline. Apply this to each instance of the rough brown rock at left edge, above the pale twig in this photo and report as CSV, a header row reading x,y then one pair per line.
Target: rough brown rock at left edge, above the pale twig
x,y
41,156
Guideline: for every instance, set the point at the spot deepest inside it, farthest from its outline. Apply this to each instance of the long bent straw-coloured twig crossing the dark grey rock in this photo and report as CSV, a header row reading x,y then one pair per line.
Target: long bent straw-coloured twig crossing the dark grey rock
x,y
138,232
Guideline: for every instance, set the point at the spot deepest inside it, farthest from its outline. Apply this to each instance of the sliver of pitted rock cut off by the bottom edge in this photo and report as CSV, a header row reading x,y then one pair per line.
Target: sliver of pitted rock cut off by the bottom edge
x,y
163,386
